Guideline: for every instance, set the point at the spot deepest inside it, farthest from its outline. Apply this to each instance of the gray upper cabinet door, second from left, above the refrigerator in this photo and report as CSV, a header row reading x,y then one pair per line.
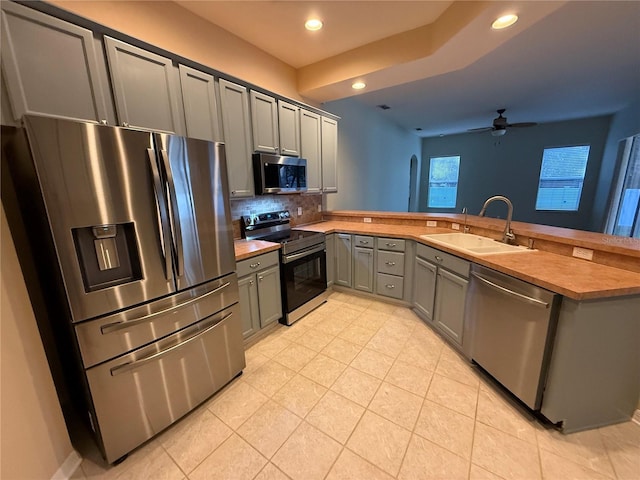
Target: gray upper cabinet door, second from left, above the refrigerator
x,y
146,88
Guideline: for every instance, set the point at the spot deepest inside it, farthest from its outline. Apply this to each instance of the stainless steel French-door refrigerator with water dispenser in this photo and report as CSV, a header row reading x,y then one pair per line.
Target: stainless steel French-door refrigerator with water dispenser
x,y
140,241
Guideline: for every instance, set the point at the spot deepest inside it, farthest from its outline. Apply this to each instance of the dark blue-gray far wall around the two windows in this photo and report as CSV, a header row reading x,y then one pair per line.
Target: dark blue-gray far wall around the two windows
x,y
510,165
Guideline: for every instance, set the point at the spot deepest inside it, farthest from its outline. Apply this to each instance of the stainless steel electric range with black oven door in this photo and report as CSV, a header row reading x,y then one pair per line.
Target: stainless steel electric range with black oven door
x,y
303,263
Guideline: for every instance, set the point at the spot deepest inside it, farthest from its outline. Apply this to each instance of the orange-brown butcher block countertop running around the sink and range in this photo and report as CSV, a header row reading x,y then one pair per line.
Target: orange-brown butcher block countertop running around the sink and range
x,y
572,277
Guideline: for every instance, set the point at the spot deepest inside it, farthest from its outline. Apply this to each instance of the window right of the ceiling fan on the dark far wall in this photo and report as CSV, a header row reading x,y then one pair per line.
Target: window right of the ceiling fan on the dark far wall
x,y
561,178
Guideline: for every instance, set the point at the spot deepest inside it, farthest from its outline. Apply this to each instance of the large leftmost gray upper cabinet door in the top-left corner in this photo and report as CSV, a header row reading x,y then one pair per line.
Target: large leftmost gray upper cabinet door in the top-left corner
x,y
50,66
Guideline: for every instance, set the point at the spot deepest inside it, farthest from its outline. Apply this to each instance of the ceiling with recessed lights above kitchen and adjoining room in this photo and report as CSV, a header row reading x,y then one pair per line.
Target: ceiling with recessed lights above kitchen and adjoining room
x,y
563,60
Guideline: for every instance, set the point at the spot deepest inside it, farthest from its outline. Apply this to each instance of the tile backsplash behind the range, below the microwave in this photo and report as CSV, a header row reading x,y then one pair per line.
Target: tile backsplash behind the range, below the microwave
x,y
273,203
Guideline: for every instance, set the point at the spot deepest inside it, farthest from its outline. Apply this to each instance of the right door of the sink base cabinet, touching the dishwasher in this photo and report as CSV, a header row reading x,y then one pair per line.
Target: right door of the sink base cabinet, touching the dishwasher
x,y
451,291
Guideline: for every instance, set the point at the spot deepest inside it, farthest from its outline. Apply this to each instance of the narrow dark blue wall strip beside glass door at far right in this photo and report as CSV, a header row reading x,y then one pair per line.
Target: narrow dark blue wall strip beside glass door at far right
x,y
625,123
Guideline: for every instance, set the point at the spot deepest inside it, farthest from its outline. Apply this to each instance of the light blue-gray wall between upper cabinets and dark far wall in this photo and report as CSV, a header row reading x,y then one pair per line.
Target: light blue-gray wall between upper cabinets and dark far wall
x,y
374,159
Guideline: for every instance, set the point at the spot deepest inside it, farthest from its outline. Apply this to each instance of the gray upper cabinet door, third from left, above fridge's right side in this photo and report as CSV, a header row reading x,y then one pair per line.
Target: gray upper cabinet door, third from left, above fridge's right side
x,y
200,104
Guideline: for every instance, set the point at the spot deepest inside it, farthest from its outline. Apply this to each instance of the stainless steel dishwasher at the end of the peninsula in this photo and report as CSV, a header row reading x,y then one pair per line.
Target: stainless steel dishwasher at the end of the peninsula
x,y
513,325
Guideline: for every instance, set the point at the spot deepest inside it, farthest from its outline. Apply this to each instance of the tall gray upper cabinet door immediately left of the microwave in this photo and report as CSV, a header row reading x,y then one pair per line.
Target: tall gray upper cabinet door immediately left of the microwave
x,y
234,103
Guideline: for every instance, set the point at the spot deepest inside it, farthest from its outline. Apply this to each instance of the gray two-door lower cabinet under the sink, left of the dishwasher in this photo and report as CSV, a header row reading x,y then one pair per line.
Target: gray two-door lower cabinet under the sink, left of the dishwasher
x,y
440,289
